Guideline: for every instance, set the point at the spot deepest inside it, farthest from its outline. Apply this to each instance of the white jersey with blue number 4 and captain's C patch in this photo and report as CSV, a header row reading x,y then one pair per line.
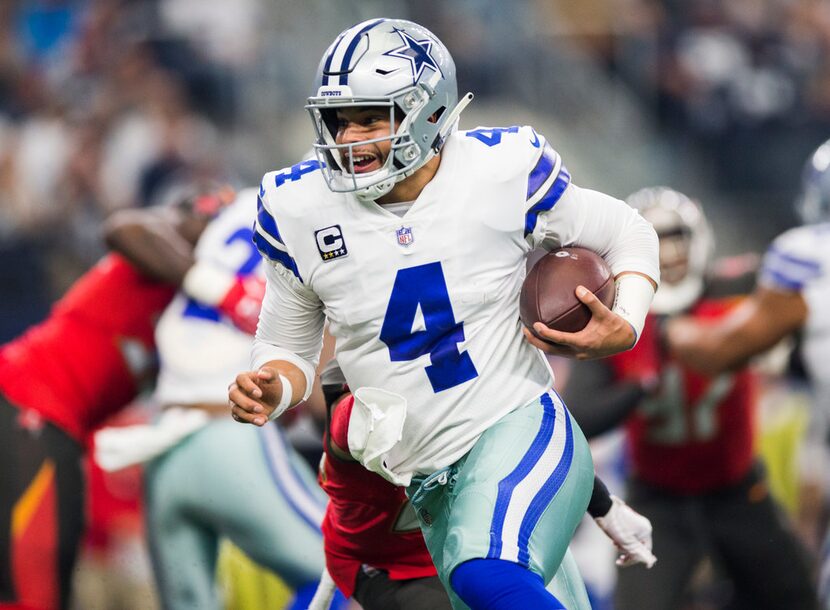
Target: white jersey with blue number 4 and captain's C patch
x,y
426,305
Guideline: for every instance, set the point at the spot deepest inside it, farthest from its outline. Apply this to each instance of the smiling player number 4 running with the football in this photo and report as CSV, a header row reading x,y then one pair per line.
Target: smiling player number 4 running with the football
x,y
411,237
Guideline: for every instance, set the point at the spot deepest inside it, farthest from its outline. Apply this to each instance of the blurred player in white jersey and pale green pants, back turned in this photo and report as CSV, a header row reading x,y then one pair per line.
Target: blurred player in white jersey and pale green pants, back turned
x,y
204,467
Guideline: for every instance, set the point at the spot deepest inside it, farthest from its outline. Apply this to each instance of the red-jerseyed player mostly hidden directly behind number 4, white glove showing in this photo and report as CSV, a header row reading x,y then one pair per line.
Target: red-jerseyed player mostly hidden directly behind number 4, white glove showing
x,y
375,551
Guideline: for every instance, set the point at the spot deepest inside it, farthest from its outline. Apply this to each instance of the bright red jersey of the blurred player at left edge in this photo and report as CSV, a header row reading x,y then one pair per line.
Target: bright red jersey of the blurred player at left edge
x,y
90,356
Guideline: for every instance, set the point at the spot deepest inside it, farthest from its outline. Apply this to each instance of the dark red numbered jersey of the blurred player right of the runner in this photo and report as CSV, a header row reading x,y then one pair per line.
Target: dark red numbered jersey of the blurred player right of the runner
x,y
696,435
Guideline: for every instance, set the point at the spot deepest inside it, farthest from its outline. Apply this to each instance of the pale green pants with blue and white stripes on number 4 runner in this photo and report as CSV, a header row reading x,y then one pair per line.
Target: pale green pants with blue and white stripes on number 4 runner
x,y
518,495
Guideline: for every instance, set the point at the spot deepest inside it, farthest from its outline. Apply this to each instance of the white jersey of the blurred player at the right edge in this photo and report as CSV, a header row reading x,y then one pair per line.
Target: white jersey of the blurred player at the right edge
x,y
799,260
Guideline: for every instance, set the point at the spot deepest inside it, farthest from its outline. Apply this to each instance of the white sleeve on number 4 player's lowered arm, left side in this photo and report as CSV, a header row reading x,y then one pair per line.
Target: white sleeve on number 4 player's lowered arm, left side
x,y
290,324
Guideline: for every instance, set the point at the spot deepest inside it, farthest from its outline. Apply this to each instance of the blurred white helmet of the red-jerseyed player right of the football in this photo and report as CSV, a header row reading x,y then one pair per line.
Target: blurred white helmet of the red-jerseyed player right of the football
x,y
686,246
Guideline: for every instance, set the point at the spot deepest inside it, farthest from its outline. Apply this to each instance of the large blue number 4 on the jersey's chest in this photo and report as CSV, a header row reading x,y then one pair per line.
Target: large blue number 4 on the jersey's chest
x,y
424,286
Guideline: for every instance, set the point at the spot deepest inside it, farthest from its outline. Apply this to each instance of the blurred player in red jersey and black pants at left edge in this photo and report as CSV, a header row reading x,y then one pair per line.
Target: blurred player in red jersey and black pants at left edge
x,y
65,376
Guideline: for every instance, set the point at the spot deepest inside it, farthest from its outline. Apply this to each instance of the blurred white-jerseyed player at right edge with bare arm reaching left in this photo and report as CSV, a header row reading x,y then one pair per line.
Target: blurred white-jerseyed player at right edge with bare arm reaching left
x,y
791,296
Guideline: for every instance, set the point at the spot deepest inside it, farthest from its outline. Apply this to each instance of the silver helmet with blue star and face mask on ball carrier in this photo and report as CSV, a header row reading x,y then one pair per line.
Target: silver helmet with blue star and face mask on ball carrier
x,y
387,63
